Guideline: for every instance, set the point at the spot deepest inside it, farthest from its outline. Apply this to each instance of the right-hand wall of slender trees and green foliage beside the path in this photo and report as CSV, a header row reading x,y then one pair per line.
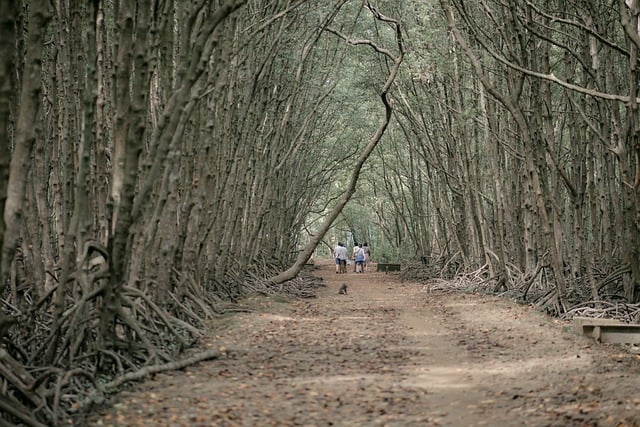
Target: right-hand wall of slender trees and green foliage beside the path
x,y
515,147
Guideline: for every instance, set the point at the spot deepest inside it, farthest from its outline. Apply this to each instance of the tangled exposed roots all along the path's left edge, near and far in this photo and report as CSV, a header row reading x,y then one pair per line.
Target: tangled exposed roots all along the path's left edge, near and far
x,y
144,334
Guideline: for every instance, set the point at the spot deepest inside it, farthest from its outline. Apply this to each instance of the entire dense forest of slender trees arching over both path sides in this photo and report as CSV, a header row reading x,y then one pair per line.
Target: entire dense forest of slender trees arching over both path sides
x,y
161,159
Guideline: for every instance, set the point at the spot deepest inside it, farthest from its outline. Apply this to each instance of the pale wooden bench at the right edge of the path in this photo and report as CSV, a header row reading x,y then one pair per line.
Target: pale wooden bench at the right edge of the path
x,y
607,330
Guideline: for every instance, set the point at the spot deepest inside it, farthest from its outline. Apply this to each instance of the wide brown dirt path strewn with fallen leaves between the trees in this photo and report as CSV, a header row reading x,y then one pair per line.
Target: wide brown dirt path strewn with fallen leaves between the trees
x,y
392,354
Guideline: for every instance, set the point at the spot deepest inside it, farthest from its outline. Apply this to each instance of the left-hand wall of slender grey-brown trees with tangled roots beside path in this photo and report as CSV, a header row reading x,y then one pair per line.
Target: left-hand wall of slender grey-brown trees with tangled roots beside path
x,y
158,159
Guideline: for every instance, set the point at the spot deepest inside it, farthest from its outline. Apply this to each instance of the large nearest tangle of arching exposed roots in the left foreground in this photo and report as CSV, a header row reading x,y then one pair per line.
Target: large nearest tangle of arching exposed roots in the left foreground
x,y
47,394
